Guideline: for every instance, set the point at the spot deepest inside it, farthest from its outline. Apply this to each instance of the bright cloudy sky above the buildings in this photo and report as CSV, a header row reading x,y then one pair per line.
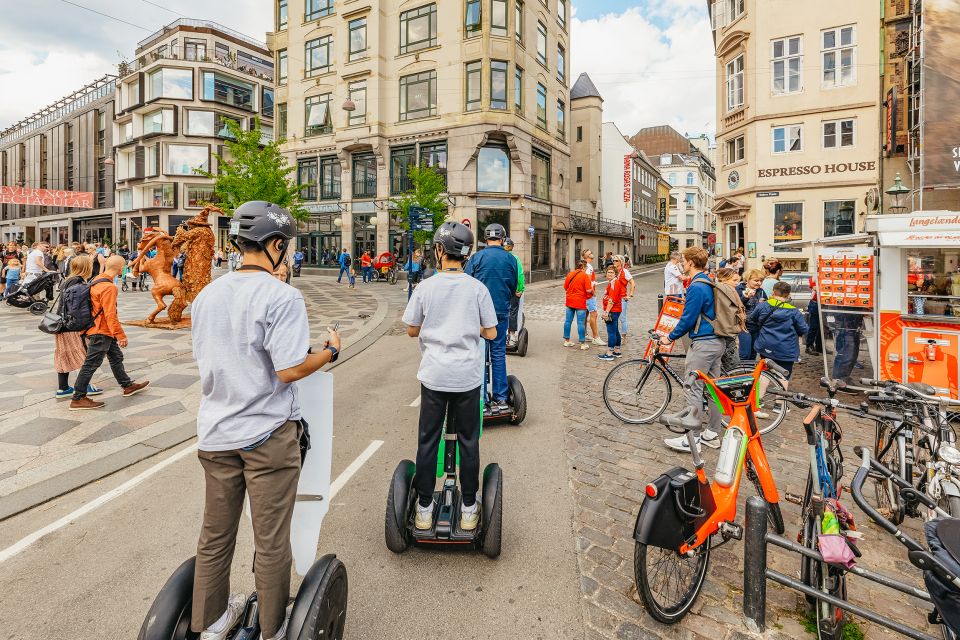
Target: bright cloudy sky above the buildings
x,y
652,60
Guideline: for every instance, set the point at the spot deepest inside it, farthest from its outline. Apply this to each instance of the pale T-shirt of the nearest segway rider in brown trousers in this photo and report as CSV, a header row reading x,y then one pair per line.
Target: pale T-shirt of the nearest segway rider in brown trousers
x,y
246,327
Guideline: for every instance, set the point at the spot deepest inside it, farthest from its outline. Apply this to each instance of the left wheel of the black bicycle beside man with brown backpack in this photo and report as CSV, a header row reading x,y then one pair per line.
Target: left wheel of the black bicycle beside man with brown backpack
x,y
637,391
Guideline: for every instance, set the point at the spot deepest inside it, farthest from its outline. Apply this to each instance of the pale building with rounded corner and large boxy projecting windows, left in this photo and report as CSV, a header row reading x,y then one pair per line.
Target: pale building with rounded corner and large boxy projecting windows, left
x,y
173,101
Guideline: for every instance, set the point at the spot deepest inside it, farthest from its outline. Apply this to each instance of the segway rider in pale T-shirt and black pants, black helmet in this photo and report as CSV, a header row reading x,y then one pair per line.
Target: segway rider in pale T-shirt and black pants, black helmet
x,y
452,314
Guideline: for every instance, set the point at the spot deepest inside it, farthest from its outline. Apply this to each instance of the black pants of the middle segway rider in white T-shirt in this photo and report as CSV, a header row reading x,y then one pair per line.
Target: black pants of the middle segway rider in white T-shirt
x,y
462,412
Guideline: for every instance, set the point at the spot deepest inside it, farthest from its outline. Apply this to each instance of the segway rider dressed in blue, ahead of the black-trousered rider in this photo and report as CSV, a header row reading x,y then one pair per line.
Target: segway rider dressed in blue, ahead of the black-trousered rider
x,y
497,270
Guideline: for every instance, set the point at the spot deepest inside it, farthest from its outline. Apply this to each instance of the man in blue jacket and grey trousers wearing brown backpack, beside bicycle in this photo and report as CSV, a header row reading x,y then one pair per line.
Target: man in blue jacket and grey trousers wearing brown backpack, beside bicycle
x,y
705,350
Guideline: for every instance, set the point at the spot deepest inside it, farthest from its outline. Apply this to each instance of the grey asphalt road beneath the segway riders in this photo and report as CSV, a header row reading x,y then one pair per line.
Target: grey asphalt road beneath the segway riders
x,y
96,577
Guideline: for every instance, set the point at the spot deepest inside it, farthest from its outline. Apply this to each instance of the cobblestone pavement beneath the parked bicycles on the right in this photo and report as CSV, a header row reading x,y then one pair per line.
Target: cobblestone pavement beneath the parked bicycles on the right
x,y
610,464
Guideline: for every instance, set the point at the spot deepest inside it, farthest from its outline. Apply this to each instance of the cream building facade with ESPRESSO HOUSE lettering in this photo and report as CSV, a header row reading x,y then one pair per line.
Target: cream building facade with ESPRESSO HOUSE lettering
x,y
797,123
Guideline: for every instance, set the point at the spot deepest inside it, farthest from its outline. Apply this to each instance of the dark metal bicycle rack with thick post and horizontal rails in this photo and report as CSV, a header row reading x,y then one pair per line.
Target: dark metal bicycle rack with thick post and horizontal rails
x,y
756,573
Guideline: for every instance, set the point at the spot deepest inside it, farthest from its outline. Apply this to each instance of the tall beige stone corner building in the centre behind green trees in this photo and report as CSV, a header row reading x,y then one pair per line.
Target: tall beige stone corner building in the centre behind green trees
x,y
477,89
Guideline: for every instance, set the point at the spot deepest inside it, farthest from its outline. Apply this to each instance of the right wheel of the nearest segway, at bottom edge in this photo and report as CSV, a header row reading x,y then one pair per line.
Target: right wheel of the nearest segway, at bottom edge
x,y
320,608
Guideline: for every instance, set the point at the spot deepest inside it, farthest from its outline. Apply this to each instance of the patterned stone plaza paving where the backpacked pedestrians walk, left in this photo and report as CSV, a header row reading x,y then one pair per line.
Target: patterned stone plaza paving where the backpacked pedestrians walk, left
x,y
46,450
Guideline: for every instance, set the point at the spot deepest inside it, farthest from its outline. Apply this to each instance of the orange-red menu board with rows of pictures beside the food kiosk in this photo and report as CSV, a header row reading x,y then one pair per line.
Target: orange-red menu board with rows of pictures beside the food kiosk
x,y
846,277
